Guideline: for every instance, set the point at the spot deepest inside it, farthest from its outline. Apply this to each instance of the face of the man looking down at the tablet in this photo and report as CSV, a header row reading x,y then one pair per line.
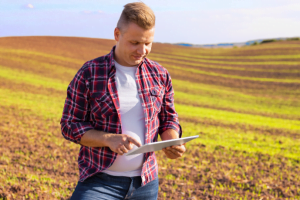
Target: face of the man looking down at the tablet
x,y
133,44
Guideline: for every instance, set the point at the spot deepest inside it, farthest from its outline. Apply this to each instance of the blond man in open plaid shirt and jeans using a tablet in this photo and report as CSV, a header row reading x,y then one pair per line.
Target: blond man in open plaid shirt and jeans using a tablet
x,y
118,102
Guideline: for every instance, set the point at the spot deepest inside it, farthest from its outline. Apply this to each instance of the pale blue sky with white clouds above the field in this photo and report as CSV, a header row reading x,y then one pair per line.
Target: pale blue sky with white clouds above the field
x,y
187,21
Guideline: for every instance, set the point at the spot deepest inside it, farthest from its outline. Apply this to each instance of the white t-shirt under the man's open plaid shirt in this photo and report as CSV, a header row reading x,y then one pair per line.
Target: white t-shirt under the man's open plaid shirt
x,y
132,121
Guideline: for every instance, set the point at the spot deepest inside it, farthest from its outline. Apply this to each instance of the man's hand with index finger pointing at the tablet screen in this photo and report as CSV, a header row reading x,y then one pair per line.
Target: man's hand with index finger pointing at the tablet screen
x,y
121,143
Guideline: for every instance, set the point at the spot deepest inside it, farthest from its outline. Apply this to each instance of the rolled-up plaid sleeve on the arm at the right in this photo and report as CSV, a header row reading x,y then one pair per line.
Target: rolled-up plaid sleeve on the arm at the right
x,y
168,117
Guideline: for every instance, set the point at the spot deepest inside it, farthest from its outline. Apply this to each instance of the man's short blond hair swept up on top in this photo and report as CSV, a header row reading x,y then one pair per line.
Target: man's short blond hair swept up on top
x,y
138,13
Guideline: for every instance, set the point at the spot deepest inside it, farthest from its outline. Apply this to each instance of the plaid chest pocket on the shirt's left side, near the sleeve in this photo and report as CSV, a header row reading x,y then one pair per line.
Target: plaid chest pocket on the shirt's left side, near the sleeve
x,y
102,105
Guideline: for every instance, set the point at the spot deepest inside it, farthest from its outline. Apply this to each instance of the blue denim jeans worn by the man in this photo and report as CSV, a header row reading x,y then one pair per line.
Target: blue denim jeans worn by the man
x,y
103,186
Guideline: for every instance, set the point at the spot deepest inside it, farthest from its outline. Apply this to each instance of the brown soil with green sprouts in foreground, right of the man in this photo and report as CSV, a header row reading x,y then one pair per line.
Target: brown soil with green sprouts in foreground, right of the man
x,y
227,174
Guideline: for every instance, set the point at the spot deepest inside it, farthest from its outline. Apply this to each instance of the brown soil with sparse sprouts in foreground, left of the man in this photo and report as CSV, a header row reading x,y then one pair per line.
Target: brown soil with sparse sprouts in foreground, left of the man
x,y
25,140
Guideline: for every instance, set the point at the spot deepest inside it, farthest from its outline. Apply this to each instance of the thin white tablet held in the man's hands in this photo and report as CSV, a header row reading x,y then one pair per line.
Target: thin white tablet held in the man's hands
x,y
156,146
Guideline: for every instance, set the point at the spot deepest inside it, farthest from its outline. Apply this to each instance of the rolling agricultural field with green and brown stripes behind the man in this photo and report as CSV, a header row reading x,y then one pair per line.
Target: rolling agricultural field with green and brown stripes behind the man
x,y
244,103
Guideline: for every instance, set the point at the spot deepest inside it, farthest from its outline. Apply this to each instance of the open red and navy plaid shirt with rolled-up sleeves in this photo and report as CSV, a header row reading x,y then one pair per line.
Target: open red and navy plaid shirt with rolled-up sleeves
x,y
92,103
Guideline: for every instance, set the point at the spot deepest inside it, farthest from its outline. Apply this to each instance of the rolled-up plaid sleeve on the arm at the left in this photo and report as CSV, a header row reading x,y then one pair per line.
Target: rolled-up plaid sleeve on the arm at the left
x,y
75,118
